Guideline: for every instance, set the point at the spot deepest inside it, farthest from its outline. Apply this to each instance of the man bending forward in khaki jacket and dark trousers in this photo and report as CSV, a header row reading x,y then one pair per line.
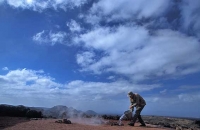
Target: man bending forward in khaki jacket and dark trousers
x,y
138,102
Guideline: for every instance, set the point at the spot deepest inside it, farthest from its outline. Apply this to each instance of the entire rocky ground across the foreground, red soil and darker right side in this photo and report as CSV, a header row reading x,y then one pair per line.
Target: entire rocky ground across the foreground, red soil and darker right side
x,y
153,123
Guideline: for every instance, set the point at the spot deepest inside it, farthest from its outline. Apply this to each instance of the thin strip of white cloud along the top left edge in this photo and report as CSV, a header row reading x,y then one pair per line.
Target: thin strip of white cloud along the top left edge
x,y
38,5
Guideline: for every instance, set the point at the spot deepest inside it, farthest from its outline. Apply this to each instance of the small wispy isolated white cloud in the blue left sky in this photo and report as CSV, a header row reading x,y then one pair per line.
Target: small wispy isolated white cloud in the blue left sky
x,y
50,37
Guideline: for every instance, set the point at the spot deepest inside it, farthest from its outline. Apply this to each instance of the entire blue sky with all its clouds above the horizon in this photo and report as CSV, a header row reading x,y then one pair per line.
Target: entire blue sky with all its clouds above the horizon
x,y
88,54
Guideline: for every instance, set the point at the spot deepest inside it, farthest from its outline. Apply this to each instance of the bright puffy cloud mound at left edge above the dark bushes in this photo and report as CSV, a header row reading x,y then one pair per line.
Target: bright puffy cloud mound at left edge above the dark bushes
x,y
28,83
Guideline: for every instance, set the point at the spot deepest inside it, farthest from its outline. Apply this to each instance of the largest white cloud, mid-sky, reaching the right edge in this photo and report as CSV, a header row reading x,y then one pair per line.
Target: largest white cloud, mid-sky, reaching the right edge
x,y
132,50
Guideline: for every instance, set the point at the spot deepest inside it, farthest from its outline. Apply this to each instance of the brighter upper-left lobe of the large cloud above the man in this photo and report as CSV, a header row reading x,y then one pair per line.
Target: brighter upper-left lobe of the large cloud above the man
x,y
106,38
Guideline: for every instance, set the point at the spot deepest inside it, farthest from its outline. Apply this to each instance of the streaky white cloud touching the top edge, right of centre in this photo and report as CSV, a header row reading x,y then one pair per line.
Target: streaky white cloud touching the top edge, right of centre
x,y
127,9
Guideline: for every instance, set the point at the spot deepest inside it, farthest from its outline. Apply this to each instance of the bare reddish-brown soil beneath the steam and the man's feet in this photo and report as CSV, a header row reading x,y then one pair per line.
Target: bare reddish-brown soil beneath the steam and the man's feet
x,y
16,123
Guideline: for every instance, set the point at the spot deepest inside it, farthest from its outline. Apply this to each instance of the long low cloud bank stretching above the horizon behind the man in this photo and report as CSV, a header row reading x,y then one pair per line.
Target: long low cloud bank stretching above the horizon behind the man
x,y
40,89
